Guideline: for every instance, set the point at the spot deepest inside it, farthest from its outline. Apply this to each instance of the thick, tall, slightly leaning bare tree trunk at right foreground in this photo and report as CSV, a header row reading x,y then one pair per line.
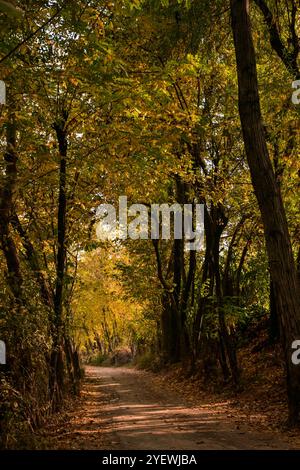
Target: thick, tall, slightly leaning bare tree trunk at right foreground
x,y
281,261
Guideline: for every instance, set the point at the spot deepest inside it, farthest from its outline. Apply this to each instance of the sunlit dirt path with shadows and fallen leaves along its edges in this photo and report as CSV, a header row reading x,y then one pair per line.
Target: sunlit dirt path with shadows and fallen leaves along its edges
x,y
123,408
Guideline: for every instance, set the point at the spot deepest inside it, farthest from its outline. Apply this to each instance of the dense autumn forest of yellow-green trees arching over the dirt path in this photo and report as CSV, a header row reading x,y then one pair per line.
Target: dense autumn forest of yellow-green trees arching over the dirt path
x,y
161,101
